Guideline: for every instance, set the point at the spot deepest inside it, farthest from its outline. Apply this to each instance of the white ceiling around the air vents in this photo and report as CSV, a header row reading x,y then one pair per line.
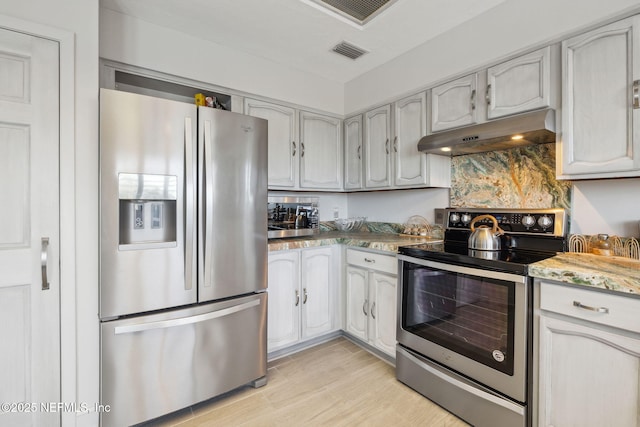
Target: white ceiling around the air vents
x,y
297,34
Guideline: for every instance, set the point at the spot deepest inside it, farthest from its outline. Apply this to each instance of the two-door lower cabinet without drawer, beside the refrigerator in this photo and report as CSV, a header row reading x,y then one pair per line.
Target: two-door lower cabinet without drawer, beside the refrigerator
x,y
302,301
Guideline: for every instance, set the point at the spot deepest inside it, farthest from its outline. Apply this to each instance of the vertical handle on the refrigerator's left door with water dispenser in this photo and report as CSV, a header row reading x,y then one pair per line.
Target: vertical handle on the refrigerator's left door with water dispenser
x,y
188,204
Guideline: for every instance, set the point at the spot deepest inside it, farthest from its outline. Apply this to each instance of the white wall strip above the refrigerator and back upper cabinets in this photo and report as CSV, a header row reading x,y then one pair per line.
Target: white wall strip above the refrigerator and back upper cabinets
x,y
135,42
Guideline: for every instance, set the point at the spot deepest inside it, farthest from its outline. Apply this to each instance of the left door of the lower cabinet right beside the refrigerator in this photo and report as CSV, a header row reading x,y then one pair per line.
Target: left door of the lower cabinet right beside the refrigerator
x,y
283,327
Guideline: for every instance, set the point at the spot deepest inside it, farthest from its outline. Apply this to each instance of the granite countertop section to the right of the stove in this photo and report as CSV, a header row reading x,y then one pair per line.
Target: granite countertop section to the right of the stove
x,y
603,272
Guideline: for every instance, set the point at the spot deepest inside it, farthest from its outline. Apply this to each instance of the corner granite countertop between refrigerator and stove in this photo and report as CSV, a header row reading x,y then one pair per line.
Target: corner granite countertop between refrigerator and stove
x,y
386,242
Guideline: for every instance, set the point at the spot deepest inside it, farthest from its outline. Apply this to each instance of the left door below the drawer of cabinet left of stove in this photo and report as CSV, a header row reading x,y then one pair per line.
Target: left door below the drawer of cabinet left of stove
x,y
357,313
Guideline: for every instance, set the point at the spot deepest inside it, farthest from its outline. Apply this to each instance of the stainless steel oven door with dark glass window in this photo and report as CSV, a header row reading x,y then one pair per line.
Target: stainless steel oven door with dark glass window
x,y
470,320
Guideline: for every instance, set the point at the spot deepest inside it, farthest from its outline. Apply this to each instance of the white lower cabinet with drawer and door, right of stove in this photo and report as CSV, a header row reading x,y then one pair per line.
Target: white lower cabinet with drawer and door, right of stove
x,y
588,370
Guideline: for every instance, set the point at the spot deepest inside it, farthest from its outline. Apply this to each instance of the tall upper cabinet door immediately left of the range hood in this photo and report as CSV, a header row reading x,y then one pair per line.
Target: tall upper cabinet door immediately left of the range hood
x,y
410,126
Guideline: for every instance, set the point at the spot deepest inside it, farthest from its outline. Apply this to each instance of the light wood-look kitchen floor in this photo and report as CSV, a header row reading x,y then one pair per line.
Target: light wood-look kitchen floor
x,y
333,384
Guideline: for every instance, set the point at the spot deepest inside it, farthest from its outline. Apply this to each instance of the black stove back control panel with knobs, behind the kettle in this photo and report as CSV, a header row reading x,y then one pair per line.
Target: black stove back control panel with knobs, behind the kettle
x,y
535,221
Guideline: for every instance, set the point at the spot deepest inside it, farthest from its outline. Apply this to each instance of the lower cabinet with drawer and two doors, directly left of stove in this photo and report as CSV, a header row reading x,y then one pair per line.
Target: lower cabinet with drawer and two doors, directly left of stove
x,y
371,299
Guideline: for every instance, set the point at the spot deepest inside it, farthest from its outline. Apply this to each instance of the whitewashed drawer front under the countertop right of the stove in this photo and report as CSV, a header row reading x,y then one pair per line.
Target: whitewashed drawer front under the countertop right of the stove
x,y
615,311
